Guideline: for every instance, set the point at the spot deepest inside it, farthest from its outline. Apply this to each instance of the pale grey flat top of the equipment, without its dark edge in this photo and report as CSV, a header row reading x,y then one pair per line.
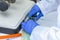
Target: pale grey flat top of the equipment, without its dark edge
x,y
15,14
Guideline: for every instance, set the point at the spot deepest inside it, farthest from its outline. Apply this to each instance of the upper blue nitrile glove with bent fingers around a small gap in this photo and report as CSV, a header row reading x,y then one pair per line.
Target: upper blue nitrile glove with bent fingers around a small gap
x,y
35,9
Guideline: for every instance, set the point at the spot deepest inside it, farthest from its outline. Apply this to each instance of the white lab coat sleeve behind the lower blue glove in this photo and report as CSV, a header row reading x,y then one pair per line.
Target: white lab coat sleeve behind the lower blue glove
x,y
45,33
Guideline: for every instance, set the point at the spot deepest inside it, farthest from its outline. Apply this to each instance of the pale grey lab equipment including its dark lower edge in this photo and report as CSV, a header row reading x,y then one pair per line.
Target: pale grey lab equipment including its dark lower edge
x,y
10,20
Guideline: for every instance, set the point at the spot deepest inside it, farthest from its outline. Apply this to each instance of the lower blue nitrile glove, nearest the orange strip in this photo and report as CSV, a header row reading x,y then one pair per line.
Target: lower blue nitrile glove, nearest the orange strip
x,y
29,25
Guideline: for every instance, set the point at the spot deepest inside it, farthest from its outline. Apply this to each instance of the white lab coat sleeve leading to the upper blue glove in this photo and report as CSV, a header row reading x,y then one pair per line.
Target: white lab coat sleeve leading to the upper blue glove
x,y
47,5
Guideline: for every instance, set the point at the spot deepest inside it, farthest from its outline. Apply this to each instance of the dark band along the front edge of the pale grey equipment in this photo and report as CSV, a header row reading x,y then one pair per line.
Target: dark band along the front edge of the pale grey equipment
x,y
10,31
